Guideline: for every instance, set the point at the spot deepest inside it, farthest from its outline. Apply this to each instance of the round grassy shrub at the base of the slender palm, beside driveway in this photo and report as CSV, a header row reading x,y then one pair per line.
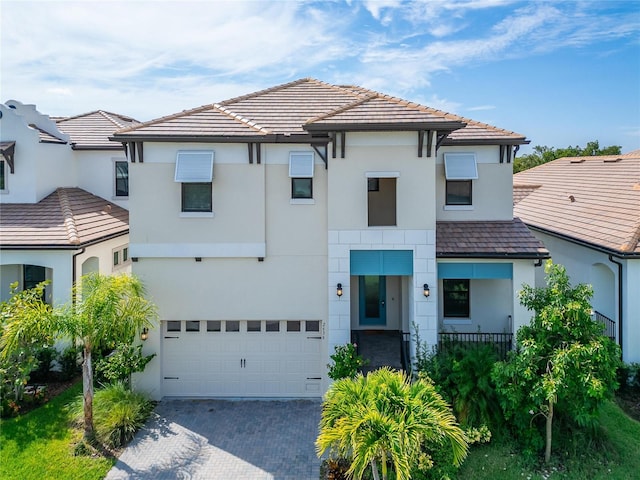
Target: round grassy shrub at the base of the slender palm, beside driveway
x,y
118,413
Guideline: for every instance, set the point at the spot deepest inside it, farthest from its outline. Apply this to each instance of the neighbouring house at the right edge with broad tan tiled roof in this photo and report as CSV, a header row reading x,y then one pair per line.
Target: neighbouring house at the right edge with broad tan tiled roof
x,y
586,210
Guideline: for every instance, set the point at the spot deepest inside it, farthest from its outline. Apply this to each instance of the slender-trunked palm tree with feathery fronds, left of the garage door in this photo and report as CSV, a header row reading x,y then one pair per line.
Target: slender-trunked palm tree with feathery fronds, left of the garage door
x,y
105,310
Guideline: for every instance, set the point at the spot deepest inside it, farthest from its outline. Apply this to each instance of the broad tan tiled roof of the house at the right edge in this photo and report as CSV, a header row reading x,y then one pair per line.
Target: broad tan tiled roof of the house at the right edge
x,y
589,199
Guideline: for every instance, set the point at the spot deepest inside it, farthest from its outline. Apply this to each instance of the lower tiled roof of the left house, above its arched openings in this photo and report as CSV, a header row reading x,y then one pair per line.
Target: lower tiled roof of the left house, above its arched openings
x,y
67,218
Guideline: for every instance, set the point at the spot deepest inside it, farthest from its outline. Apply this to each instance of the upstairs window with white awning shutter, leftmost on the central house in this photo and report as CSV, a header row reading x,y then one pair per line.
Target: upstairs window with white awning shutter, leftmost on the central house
x,y
194,170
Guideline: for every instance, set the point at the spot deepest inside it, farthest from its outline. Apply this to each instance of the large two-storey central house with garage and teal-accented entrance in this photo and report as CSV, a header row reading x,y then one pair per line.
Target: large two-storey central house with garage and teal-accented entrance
x,y
271,227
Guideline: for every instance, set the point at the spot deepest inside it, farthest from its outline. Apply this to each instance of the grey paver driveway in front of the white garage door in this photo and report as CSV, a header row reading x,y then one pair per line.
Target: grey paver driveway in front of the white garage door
x,y
218,439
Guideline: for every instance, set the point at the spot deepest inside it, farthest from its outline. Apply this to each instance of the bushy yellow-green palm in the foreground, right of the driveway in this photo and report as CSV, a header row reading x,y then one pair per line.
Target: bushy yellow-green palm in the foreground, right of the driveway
x,y
383,418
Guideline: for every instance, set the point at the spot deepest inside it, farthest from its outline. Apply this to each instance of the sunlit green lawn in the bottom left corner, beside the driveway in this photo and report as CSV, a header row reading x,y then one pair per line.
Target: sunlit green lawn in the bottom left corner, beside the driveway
x,y
39,445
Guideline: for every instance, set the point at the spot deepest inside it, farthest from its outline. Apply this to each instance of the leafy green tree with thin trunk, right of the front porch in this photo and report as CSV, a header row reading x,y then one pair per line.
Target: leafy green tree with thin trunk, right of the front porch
x,y
564,364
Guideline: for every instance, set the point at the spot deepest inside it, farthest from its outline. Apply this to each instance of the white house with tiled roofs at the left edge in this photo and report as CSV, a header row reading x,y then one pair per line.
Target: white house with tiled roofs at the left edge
x,y
63,196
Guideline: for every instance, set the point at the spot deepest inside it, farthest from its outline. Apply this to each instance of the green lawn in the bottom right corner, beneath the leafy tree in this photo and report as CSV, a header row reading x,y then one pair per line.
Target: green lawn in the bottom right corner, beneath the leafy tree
x,y
618,458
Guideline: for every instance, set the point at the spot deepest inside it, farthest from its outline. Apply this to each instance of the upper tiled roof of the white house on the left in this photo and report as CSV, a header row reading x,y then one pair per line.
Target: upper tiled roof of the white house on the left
x,y
92,130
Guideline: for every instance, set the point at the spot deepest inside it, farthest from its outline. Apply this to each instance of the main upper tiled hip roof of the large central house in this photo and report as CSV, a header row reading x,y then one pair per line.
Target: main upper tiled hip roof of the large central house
x,y
305,105
